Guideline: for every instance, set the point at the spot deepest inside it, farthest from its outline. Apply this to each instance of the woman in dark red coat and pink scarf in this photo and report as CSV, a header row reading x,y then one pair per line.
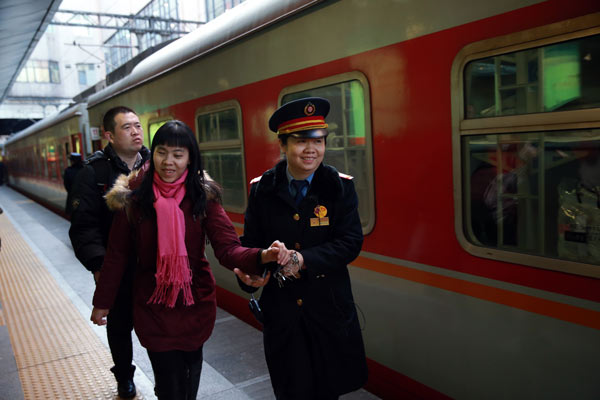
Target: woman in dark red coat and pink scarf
x,y
165,217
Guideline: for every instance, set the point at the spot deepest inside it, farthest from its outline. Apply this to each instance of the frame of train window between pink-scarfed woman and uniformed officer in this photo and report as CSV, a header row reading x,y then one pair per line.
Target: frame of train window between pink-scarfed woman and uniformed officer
x,y
217,145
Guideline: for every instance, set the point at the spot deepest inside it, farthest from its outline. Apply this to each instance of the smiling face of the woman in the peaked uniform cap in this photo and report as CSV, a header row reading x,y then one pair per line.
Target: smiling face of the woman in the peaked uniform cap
x,y
303,155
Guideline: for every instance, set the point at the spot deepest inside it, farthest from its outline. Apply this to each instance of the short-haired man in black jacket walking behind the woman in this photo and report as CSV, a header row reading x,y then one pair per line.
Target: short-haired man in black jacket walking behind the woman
x,y
90,226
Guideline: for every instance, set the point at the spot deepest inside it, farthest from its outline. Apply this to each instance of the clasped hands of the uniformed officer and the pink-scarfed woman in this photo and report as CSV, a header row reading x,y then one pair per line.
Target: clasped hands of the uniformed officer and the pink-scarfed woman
x,y
291,263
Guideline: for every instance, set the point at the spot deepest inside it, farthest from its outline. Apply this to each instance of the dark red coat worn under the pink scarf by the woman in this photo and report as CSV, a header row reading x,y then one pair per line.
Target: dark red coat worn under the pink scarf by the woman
x,y
158,327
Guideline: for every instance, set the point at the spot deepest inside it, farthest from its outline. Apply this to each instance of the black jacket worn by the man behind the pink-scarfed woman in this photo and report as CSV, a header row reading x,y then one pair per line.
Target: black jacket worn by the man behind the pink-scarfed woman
x,y
91,218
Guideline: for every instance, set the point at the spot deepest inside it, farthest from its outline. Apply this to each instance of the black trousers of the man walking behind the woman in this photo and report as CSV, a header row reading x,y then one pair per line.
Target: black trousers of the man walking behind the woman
x,y
119,325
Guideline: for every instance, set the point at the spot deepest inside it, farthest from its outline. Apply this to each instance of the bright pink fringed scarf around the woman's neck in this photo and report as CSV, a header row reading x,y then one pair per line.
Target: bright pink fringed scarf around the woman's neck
x,y
173,273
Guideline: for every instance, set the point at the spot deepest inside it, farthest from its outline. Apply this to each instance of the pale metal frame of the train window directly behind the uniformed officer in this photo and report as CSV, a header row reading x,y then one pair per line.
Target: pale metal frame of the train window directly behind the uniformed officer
x,y
369,223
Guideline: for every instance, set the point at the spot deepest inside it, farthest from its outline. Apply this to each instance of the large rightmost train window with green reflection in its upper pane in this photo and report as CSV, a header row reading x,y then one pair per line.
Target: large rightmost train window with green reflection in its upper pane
x,y
529,178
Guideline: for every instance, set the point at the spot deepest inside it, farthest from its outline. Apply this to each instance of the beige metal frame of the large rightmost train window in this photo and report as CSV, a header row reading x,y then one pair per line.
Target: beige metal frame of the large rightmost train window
x,y
514,125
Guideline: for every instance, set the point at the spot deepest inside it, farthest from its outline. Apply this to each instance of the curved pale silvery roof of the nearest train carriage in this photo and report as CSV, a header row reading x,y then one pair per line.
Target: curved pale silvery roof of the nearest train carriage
x,y
240,21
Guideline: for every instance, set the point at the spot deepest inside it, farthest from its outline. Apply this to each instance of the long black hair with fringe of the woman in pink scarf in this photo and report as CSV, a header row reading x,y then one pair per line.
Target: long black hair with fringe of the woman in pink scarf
x,y
177,134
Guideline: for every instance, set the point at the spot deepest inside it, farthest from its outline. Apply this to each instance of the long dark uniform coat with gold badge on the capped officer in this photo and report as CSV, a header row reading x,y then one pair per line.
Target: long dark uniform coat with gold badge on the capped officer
x,y
319,307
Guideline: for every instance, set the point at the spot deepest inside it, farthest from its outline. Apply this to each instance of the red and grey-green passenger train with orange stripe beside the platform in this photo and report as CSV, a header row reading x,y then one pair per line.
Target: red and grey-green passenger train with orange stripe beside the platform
x,y
472,131
